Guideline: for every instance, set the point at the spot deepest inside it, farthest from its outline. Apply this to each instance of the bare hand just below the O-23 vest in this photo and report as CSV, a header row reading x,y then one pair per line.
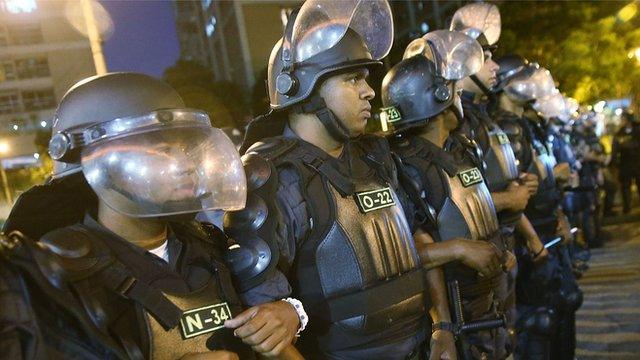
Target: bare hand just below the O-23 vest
x,y
481,256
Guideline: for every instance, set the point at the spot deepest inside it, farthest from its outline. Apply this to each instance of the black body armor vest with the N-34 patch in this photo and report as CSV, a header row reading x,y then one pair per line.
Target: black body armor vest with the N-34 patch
x,y
118,313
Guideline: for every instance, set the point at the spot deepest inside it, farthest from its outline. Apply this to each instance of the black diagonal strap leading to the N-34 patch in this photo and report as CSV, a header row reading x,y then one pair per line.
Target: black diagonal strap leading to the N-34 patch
x,y
118,279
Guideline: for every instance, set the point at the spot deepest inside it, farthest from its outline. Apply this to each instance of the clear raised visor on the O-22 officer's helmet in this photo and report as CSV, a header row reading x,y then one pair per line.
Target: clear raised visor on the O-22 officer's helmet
x,y
321,24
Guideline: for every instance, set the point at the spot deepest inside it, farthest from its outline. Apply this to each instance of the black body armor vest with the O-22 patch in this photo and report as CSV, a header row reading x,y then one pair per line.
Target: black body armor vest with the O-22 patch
x,y
357,270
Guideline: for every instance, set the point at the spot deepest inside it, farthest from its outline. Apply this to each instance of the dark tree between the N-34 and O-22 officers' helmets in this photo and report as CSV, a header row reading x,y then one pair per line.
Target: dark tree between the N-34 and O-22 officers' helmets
x,y
223,101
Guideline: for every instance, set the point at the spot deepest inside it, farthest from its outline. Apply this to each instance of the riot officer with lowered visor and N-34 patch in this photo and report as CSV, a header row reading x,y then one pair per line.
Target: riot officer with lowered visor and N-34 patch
x,y
125,272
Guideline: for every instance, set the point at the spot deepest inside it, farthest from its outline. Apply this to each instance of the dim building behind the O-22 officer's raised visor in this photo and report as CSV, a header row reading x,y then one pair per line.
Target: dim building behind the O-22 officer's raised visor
x,y
223,36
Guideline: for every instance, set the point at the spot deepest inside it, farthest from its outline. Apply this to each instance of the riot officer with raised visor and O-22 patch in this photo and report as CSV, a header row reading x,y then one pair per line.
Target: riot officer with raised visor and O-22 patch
x,y
325,209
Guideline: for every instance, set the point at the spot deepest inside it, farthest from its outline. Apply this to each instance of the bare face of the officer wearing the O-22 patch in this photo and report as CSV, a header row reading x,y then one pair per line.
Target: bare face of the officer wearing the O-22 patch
x,y
347,96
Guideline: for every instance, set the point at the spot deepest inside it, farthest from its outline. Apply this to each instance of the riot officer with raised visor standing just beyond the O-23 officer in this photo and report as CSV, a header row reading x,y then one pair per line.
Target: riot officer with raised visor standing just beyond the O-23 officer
x,y
482,21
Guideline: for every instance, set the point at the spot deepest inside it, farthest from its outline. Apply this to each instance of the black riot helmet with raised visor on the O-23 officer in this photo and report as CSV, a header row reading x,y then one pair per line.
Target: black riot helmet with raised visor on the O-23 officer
x,y
423,84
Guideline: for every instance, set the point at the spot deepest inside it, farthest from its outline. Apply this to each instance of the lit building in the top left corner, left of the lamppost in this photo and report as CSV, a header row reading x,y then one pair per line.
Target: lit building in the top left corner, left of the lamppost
x,y
41,56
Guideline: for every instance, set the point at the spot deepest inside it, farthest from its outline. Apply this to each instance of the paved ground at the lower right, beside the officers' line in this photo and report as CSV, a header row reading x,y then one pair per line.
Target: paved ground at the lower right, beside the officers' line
x,y
608,323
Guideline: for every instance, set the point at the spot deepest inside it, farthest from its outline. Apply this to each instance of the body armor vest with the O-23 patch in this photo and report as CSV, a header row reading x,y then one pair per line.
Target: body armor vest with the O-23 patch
x,y
463,209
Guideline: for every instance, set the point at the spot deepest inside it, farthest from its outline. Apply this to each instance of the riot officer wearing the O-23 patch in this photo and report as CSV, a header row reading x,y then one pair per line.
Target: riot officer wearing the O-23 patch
x,y
423,107
